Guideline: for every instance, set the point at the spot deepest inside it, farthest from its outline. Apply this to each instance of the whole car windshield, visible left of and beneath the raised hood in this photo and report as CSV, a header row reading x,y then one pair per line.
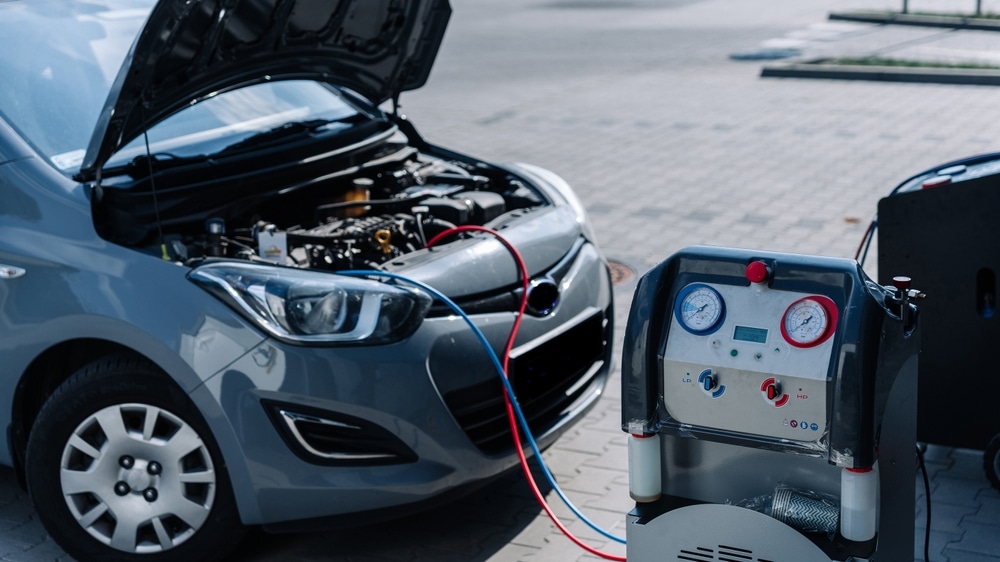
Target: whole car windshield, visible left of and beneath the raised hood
x,y
58,62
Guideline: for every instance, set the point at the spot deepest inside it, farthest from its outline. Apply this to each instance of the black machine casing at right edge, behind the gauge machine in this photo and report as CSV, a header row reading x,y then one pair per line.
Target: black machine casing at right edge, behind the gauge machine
x,y
946,239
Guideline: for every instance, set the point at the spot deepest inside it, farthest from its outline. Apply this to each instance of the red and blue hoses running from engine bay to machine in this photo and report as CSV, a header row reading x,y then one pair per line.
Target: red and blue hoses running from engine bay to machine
x,y
514,412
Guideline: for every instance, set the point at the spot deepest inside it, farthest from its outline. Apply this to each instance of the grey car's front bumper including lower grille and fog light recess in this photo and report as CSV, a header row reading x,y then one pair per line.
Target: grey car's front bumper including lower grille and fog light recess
x,y
436,397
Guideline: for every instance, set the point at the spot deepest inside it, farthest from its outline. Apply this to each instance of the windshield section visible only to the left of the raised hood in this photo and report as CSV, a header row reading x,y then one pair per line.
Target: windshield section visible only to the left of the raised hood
x,y
58,60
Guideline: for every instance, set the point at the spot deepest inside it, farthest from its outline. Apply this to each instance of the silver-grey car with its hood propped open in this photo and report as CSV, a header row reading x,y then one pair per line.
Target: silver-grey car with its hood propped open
x,y
182,186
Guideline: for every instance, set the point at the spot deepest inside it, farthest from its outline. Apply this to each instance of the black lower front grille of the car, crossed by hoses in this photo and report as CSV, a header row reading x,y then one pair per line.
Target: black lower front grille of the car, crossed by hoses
x,y
547,380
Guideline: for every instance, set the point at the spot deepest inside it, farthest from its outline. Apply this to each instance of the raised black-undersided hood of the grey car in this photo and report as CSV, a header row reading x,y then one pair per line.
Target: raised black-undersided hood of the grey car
x,y
188,50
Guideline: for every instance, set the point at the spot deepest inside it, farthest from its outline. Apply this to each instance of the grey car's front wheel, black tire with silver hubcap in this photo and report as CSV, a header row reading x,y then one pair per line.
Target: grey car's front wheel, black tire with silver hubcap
x,y
121,466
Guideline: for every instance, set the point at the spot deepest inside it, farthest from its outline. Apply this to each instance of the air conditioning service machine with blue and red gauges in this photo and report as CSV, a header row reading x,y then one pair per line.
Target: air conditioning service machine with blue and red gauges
x,y
770,401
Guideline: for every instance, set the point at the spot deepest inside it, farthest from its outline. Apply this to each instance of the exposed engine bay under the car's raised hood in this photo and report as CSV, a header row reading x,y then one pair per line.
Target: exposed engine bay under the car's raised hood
x,y
384,209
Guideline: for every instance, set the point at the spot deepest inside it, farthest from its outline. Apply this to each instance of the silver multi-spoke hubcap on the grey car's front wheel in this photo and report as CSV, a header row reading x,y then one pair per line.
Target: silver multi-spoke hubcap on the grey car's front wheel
x,y
137,478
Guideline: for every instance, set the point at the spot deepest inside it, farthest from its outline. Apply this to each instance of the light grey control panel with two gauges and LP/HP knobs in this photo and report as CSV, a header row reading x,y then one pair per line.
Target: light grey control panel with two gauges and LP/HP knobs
x,y
750,359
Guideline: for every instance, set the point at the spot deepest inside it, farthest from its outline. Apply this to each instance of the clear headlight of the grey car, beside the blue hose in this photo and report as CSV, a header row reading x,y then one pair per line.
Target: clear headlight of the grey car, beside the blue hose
x,y
312,307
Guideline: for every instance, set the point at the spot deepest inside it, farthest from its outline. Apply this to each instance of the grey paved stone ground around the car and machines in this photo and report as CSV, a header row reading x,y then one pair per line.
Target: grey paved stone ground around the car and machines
x,y
670,143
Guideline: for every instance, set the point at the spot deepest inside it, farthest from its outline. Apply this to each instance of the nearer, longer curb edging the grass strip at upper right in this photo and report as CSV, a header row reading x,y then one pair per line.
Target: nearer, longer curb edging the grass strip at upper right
x,y
818,69
